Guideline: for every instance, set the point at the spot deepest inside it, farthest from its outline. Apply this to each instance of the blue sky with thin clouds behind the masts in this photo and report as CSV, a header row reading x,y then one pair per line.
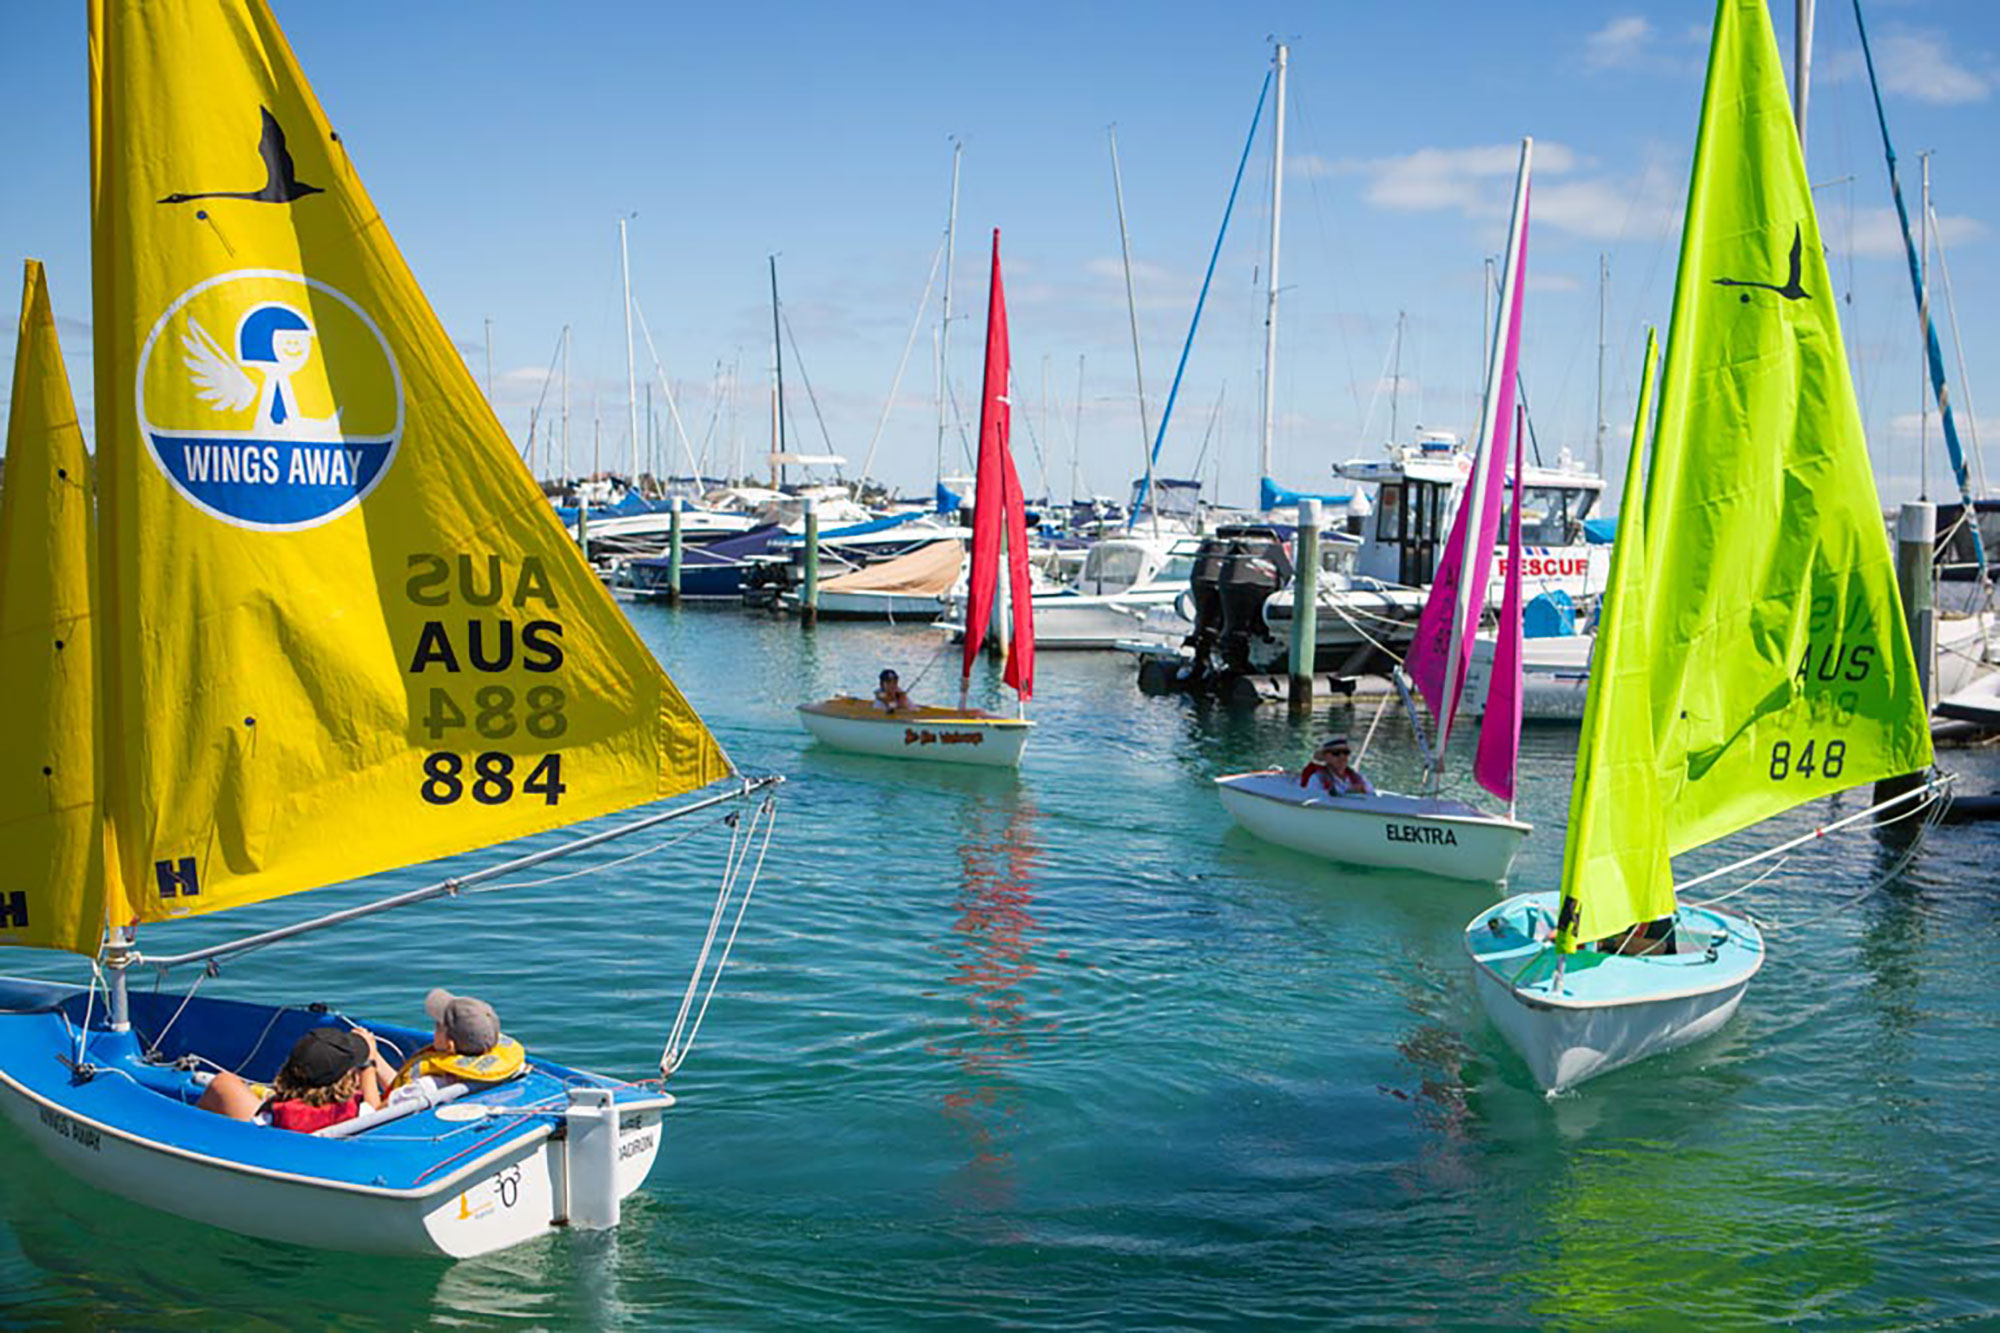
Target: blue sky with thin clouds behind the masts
x,y
503,143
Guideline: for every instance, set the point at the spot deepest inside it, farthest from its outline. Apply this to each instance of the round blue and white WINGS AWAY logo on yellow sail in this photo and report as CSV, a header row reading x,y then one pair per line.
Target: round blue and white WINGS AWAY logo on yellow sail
x,y
269,399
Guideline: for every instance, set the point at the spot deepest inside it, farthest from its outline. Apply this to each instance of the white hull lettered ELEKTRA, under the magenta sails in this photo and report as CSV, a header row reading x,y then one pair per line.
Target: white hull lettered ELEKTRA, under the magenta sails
x,y
1449,840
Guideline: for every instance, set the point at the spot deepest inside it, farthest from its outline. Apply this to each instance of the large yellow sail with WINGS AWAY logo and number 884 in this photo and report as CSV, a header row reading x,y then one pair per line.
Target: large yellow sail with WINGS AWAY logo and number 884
x,y
343,625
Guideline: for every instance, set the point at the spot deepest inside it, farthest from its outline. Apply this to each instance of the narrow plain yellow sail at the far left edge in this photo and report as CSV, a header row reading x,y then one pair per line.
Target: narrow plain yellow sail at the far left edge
x,y
51,838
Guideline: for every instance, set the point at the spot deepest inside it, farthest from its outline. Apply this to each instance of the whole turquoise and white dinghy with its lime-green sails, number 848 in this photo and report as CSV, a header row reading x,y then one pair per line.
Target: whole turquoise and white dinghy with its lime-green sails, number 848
x,y
1751,651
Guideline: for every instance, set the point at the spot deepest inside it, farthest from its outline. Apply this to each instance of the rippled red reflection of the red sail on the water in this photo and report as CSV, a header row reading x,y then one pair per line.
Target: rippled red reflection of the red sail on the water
x,y
993,964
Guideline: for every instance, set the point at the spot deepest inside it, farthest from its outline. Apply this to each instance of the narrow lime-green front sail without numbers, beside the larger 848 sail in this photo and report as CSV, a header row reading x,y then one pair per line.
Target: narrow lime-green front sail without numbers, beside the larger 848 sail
x,y
1615,868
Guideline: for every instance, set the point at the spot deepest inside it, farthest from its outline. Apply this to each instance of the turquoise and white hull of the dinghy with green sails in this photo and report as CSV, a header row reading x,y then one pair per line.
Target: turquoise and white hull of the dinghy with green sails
x,y
1609,1010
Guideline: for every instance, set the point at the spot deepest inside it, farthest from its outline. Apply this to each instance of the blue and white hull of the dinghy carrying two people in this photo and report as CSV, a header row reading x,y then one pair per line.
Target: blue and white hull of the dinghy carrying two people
x,y
459,1180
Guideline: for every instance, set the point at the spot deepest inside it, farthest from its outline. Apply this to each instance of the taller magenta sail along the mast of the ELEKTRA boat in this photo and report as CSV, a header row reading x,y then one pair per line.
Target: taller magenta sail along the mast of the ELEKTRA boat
x,y
1443,647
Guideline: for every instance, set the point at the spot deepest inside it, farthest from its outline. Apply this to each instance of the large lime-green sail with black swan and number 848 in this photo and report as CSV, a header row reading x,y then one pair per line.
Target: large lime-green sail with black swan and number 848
x,y
1783,670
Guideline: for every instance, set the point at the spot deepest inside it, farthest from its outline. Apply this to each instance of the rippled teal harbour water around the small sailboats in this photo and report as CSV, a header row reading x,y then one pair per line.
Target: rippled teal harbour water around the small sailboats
x,y
1067,1050
